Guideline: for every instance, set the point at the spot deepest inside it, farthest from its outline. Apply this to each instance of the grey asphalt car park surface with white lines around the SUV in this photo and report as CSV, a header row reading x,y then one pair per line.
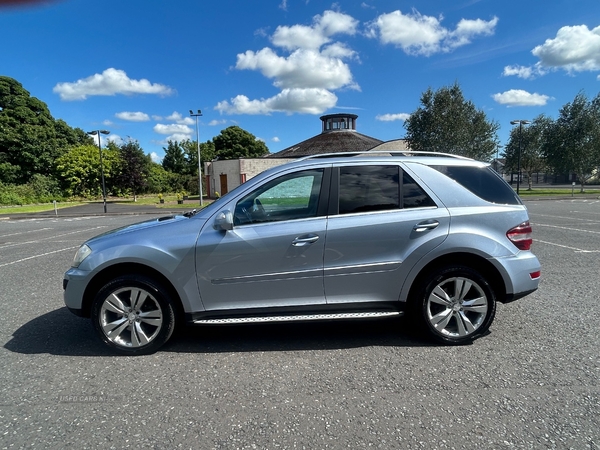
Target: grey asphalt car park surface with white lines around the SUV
x,y
532,382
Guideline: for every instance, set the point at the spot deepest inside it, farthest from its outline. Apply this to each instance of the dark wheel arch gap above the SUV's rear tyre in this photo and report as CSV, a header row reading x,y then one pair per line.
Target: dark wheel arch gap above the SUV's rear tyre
x,y
475,262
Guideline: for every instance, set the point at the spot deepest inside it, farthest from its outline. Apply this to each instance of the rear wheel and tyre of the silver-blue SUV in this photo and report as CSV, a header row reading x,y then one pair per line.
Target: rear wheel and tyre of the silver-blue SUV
x,y
455,305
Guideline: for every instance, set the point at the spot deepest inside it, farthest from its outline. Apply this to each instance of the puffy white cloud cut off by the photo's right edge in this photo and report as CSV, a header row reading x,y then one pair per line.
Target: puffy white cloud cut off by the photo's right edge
x,y
574,49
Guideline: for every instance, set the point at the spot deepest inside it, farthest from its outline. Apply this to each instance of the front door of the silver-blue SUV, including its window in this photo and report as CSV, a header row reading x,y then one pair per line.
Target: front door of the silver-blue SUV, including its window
x,y
273,255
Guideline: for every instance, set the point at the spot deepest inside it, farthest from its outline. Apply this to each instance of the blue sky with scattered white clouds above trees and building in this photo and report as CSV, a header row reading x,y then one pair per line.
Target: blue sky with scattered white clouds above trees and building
x,y
273,67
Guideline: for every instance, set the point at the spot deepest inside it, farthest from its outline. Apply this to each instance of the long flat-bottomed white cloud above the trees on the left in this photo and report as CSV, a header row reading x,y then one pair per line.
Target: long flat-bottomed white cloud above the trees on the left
x,y
109,82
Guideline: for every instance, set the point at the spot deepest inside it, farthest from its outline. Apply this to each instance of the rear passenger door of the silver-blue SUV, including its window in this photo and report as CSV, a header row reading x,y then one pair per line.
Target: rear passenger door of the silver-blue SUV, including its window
x,y
381,223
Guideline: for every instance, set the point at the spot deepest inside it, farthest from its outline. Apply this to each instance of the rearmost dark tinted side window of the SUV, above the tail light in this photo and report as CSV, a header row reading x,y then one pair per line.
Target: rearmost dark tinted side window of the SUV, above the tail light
x,y
483,182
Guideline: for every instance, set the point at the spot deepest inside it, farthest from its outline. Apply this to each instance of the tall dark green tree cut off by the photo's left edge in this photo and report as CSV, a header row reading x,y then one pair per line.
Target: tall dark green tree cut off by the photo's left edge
x,y
30,138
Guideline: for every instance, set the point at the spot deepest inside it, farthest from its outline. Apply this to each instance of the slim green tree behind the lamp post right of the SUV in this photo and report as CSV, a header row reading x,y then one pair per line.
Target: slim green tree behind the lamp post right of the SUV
x,y
529,142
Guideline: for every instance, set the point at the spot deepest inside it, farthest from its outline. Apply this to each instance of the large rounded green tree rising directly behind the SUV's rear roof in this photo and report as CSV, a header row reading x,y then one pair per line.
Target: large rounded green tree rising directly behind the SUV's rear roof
x,y
448,123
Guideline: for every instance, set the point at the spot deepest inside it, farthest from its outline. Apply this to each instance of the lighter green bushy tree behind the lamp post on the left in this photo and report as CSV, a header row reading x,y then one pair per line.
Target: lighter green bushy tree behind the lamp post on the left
x,y
80,170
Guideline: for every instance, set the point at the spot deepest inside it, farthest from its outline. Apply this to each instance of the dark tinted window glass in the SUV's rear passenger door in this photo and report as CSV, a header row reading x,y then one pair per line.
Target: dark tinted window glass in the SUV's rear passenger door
x,y
378,188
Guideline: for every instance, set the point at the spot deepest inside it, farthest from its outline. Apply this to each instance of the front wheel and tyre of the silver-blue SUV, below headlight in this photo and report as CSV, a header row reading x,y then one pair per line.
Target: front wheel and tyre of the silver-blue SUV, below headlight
x,y
133,315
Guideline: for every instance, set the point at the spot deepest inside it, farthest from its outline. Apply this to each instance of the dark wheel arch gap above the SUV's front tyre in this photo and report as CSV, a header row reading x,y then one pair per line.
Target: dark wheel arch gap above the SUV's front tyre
x,y
114,271
